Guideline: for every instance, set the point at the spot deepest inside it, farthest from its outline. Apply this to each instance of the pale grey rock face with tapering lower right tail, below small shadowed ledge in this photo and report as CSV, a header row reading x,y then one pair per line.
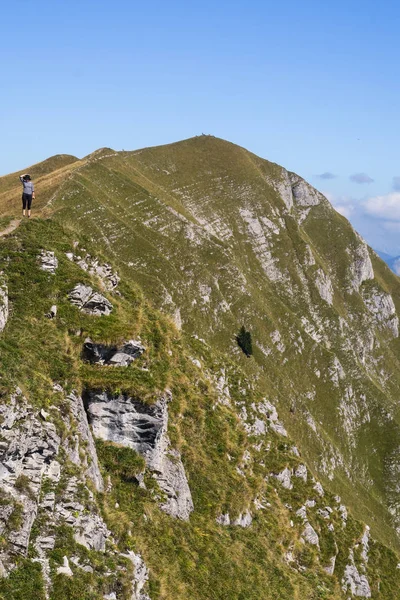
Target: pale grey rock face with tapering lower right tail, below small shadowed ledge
x,y
143,428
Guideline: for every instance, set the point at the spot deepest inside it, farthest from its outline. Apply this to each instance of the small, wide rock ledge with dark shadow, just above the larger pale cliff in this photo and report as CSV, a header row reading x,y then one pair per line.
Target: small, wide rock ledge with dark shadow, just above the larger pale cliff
x,y
117,356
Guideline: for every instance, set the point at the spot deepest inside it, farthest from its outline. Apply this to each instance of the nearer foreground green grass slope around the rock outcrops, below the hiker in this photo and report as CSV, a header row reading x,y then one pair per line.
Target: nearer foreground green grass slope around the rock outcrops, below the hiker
x,y
228,466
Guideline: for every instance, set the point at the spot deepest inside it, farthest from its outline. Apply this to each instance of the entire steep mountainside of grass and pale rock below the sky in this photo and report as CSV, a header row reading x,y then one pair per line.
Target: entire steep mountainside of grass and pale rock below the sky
x,y
143,443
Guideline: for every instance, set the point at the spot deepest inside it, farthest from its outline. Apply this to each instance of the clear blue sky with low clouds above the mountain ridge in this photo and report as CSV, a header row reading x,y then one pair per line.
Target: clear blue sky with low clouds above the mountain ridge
x,y
311,85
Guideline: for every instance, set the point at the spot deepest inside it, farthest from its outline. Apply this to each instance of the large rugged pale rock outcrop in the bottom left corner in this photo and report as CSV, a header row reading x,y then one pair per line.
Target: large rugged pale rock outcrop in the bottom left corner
x,y
29,455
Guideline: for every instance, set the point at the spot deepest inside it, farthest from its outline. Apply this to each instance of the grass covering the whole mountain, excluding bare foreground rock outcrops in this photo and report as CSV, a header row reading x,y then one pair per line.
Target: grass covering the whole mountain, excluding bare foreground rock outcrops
x,y
217,238
